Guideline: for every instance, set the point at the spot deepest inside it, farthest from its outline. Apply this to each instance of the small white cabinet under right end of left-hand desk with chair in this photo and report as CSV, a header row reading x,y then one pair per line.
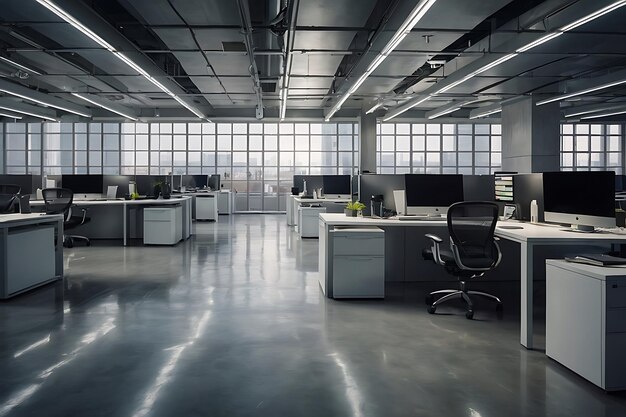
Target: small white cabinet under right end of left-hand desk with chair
x,y
162,225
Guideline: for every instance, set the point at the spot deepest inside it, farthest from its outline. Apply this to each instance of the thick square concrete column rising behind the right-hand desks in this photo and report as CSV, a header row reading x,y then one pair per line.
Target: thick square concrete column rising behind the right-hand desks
x,y
530,136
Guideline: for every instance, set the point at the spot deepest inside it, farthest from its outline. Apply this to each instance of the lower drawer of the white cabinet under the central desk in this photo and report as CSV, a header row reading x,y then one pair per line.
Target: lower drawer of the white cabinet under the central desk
x,y
358,277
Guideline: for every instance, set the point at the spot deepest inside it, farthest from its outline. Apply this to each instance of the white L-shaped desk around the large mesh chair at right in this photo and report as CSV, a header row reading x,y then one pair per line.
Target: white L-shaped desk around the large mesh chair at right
x,y
529,237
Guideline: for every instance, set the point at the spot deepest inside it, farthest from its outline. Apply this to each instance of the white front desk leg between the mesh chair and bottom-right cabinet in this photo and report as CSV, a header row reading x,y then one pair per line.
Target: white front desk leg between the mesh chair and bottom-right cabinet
x,y
526,308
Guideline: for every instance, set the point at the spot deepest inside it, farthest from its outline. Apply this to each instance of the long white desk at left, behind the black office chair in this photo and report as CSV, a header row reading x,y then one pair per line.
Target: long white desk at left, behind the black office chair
x,y
127,205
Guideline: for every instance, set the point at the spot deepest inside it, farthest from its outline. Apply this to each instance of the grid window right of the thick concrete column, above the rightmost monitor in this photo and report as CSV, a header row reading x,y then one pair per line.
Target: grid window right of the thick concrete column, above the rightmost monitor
x,y
592,147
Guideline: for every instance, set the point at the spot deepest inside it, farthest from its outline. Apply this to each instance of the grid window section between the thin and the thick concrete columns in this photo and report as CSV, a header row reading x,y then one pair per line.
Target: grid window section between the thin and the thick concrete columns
x,y
433,148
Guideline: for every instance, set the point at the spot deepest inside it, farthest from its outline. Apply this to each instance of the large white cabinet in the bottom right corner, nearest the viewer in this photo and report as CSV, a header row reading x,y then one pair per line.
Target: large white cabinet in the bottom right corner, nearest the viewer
x,y
586,321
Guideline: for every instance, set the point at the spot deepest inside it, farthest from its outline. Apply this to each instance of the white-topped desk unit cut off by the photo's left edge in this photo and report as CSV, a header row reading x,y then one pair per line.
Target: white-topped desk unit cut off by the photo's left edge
x,y
12,283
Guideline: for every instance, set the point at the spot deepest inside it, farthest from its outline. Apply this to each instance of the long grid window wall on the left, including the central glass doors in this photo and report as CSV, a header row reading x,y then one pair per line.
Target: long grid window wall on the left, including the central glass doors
x,y
256,160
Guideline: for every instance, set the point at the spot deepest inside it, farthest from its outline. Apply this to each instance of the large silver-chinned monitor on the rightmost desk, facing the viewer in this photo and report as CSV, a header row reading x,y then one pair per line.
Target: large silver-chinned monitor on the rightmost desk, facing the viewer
x,y
583,199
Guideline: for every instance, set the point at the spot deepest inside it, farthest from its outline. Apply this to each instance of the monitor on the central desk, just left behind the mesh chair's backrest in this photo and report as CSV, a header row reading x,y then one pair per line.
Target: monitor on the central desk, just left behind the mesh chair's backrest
x,y
432,194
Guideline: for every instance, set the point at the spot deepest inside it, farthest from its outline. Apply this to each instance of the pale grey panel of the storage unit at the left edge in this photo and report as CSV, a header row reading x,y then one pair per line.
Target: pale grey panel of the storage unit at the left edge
x,y
21,246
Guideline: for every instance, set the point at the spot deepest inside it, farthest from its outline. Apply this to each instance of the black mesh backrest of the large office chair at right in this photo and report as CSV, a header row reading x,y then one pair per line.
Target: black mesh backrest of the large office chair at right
x,y
471,225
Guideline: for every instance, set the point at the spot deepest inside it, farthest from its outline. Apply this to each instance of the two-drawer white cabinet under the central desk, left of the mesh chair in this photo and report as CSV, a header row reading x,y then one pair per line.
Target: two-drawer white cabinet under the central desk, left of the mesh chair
x,y
358,269
